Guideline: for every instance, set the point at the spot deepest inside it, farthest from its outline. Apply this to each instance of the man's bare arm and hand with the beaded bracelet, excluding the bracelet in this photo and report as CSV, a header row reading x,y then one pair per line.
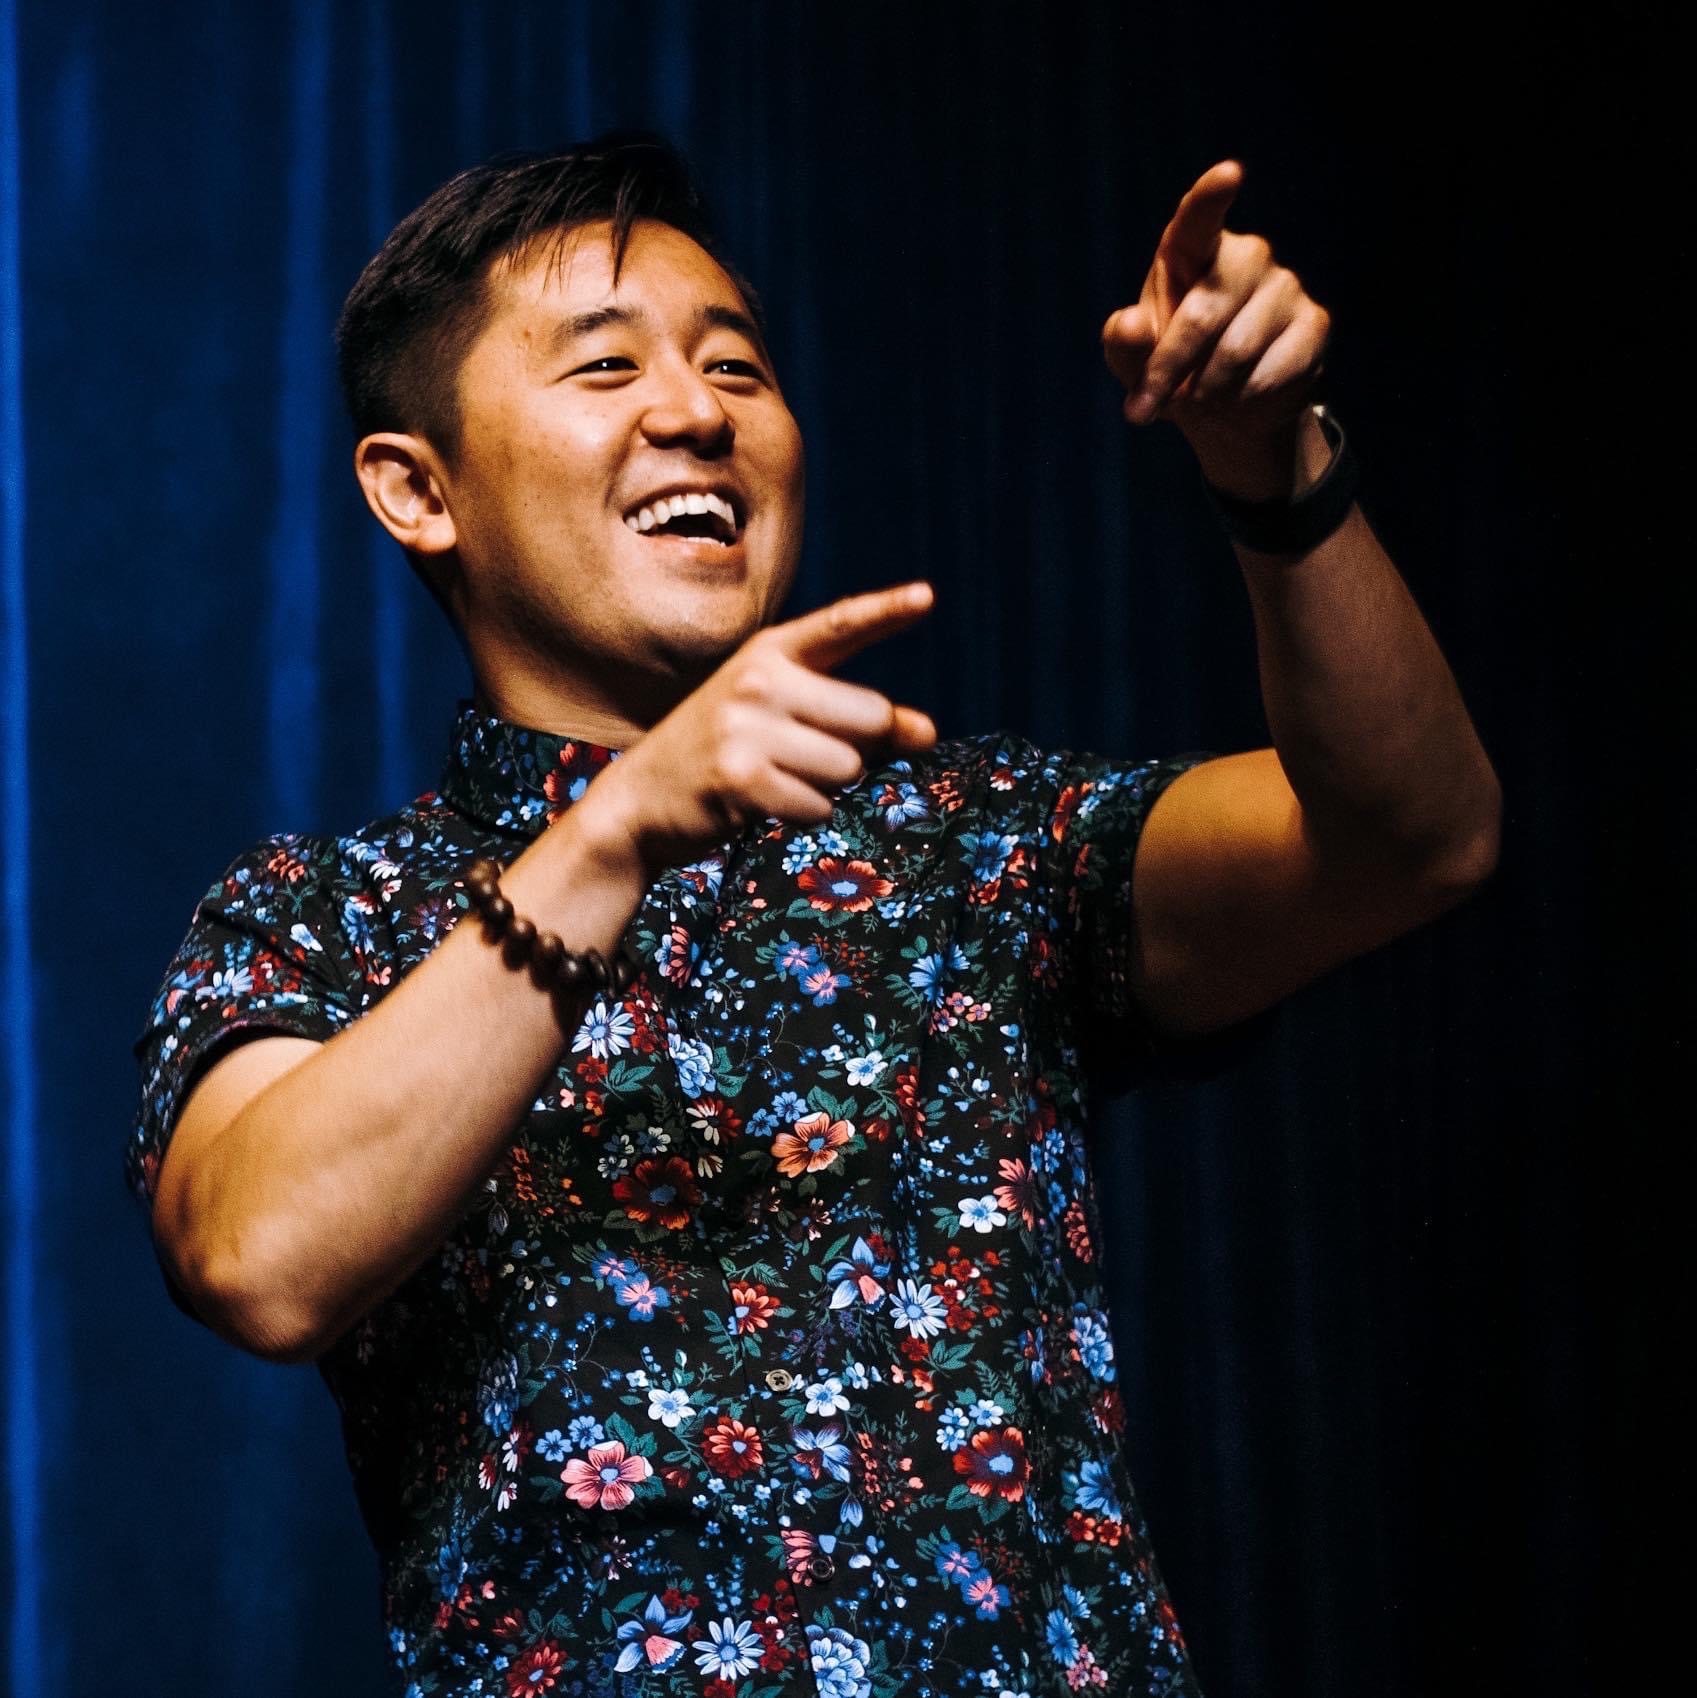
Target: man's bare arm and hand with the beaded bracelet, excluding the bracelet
x,y
305,1183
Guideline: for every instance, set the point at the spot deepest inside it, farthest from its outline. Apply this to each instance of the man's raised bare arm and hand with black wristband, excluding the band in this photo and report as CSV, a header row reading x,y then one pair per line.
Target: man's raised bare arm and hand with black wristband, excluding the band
x,y
1377,807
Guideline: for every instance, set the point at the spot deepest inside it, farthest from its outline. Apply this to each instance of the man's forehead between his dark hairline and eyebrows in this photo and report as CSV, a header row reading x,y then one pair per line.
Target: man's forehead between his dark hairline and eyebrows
x,y
560,278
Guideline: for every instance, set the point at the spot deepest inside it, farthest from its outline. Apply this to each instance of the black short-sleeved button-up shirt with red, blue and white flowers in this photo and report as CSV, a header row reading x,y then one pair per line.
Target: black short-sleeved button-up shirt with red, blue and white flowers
x,y
772,1358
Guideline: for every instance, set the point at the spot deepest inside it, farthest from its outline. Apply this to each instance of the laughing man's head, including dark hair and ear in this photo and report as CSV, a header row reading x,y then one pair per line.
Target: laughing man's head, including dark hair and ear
x,y
539,352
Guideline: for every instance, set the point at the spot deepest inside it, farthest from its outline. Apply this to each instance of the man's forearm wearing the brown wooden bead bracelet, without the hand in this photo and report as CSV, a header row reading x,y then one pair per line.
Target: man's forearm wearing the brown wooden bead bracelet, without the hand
x,y
341,1178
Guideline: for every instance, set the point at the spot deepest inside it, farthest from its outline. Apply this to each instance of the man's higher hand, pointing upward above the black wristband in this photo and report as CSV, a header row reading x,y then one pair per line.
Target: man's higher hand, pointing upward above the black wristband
x,y
1222,340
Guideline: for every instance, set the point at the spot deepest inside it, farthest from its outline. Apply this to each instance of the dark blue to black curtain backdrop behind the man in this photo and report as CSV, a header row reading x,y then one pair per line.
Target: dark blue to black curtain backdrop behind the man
x,y
1389,1293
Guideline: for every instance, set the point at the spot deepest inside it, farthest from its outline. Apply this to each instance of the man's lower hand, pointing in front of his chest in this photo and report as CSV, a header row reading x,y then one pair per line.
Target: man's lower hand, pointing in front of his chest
x,y
769,736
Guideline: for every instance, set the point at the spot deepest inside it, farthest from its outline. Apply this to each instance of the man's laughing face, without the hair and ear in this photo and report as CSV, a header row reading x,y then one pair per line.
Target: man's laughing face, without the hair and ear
x,y
585,403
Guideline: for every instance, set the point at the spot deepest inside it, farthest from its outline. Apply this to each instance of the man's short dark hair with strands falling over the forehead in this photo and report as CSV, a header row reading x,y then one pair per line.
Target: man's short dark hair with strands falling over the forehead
x,y
420,305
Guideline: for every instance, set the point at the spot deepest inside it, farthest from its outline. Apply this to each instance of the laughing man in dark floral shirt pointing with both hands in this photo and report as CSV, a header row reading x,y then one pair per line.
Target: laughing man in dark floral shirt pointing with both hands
x,y
738,1329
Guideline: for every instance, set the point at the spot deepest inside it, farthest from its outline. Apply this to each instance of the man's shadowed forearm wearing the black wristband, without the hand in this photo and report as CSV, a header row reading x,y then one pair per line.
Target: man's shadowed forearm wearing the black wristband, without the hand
x,y
1365,712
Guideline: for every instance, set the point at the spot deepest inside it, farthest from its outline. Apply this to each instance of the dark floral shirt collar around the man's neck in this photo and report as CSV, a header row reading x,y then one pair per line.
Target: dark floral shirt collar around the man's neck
x,y
512,777
